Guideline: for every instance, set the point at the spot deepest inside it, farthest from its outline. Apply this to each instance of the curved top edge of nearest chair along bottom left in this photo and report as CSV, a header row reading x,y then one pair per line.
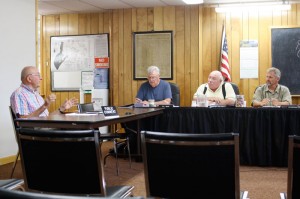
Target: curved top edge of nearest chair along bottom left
x,y
8,194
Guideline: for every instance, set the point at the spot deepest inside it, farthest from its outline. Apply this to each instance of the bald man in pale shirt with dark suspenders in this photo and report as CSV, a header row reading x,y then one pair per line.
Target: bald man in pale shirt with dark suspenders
x,y
213,90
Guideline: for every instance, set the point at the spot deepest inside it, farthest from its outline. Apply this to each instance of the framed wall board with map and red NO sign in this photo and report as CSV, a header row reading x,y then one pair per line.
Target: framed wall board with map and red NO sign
x,y
70,55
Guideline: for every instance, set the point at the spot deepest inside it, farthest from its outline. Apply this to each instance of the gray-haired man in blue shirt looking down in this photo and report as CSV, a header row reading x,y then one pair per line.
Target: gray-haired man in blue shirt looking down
x,y
154,88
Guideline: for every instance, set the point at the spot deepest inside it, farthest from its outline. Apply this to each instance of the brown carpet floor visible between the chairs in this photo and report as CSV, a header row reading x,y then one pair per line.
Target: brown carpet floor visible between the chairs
x,y
260,182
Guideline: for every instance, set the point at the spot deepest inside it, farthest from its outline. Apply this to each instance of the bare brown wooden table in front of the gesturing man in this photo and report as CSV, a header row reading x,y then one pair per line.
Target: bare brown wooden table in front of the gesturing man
x,y
80,121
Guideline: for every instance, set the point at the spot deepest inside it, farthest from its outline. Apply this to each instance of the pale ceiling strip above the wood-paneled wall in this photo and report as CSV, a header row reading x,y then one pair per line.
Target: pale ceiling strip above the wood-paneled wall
x,y
47,7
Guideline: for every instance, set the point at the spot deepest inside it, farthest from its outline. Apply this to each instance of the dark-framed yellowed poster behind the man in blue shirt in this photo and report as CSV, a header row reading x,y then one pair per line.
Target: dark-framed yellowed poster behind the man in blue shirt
x,y
153,48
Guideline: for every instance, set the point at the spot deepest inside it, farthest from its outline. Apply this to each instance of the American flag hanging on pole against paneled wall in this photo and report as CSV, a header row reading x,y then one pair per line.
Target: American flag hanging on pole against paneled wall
x,y
224,65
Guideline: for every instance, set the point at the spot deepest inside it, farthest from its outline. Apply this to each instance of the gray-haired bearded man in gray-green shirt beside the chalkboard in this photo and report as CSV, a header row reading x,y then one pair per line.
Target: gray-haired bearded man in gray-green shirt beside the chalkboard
x,y
272,93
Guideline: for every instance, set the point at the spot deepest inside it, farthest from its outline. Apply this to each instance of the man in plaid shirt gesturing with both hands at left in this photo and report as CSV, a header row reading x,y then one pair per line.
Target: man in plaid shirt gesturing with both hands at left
x,y
27,102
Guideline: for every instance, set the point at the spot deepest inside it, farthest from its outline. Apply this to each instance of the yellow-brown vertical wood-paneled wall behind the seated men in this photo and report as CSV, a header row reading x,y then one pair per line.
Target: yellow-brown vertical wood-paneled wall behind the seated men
x,y
197,40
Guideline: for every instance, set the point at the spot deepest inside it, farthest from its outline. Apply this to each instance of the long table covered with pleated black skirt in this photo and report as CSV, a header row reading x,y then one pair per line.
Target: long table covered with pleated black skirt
x,y
263,131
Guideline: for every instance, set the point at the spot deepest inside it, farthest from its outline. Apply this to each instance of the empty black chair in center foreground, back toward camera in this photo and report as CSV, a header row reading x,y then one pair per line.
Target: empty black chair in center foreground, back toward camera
x,y
179,165
